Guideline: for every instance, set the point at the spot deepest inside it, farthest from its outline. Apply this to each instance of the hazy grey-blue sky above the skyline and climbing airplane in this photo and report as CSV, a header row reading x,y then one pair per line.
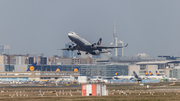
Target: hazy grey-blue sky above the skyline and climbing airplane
x,y
40,26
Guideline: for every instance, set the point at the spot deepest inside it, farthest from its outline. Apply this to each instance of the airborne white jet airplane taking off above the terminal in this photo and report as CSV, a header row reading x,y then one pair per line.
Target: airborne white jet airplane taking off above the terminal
x,y
84,45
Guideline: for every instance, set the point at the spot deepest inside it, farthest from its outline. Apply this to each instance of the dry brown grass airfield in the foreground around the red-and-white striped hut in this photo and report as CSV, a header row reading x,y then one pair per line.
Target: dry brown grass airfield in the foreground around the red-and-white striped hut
x,y
155,92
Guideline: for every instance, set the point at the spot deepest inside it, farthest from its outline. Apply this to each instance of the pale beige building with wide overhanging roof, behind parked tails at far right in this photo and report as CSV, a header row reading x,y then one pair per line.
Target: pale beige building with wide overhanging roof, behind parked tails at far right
x,y
164,68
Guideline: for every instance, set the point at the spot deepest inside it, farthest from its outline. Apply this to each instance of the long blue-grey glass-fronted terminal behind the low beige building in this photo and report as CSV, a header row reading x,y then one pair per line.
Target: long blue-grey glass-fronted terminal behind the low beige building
x,y
107,70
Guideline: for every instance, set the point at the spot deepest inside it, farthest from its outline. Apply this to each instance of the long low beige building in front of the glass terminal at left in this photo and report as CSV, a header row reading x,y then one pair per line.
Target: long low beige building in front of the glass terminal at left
x,y
35,75
